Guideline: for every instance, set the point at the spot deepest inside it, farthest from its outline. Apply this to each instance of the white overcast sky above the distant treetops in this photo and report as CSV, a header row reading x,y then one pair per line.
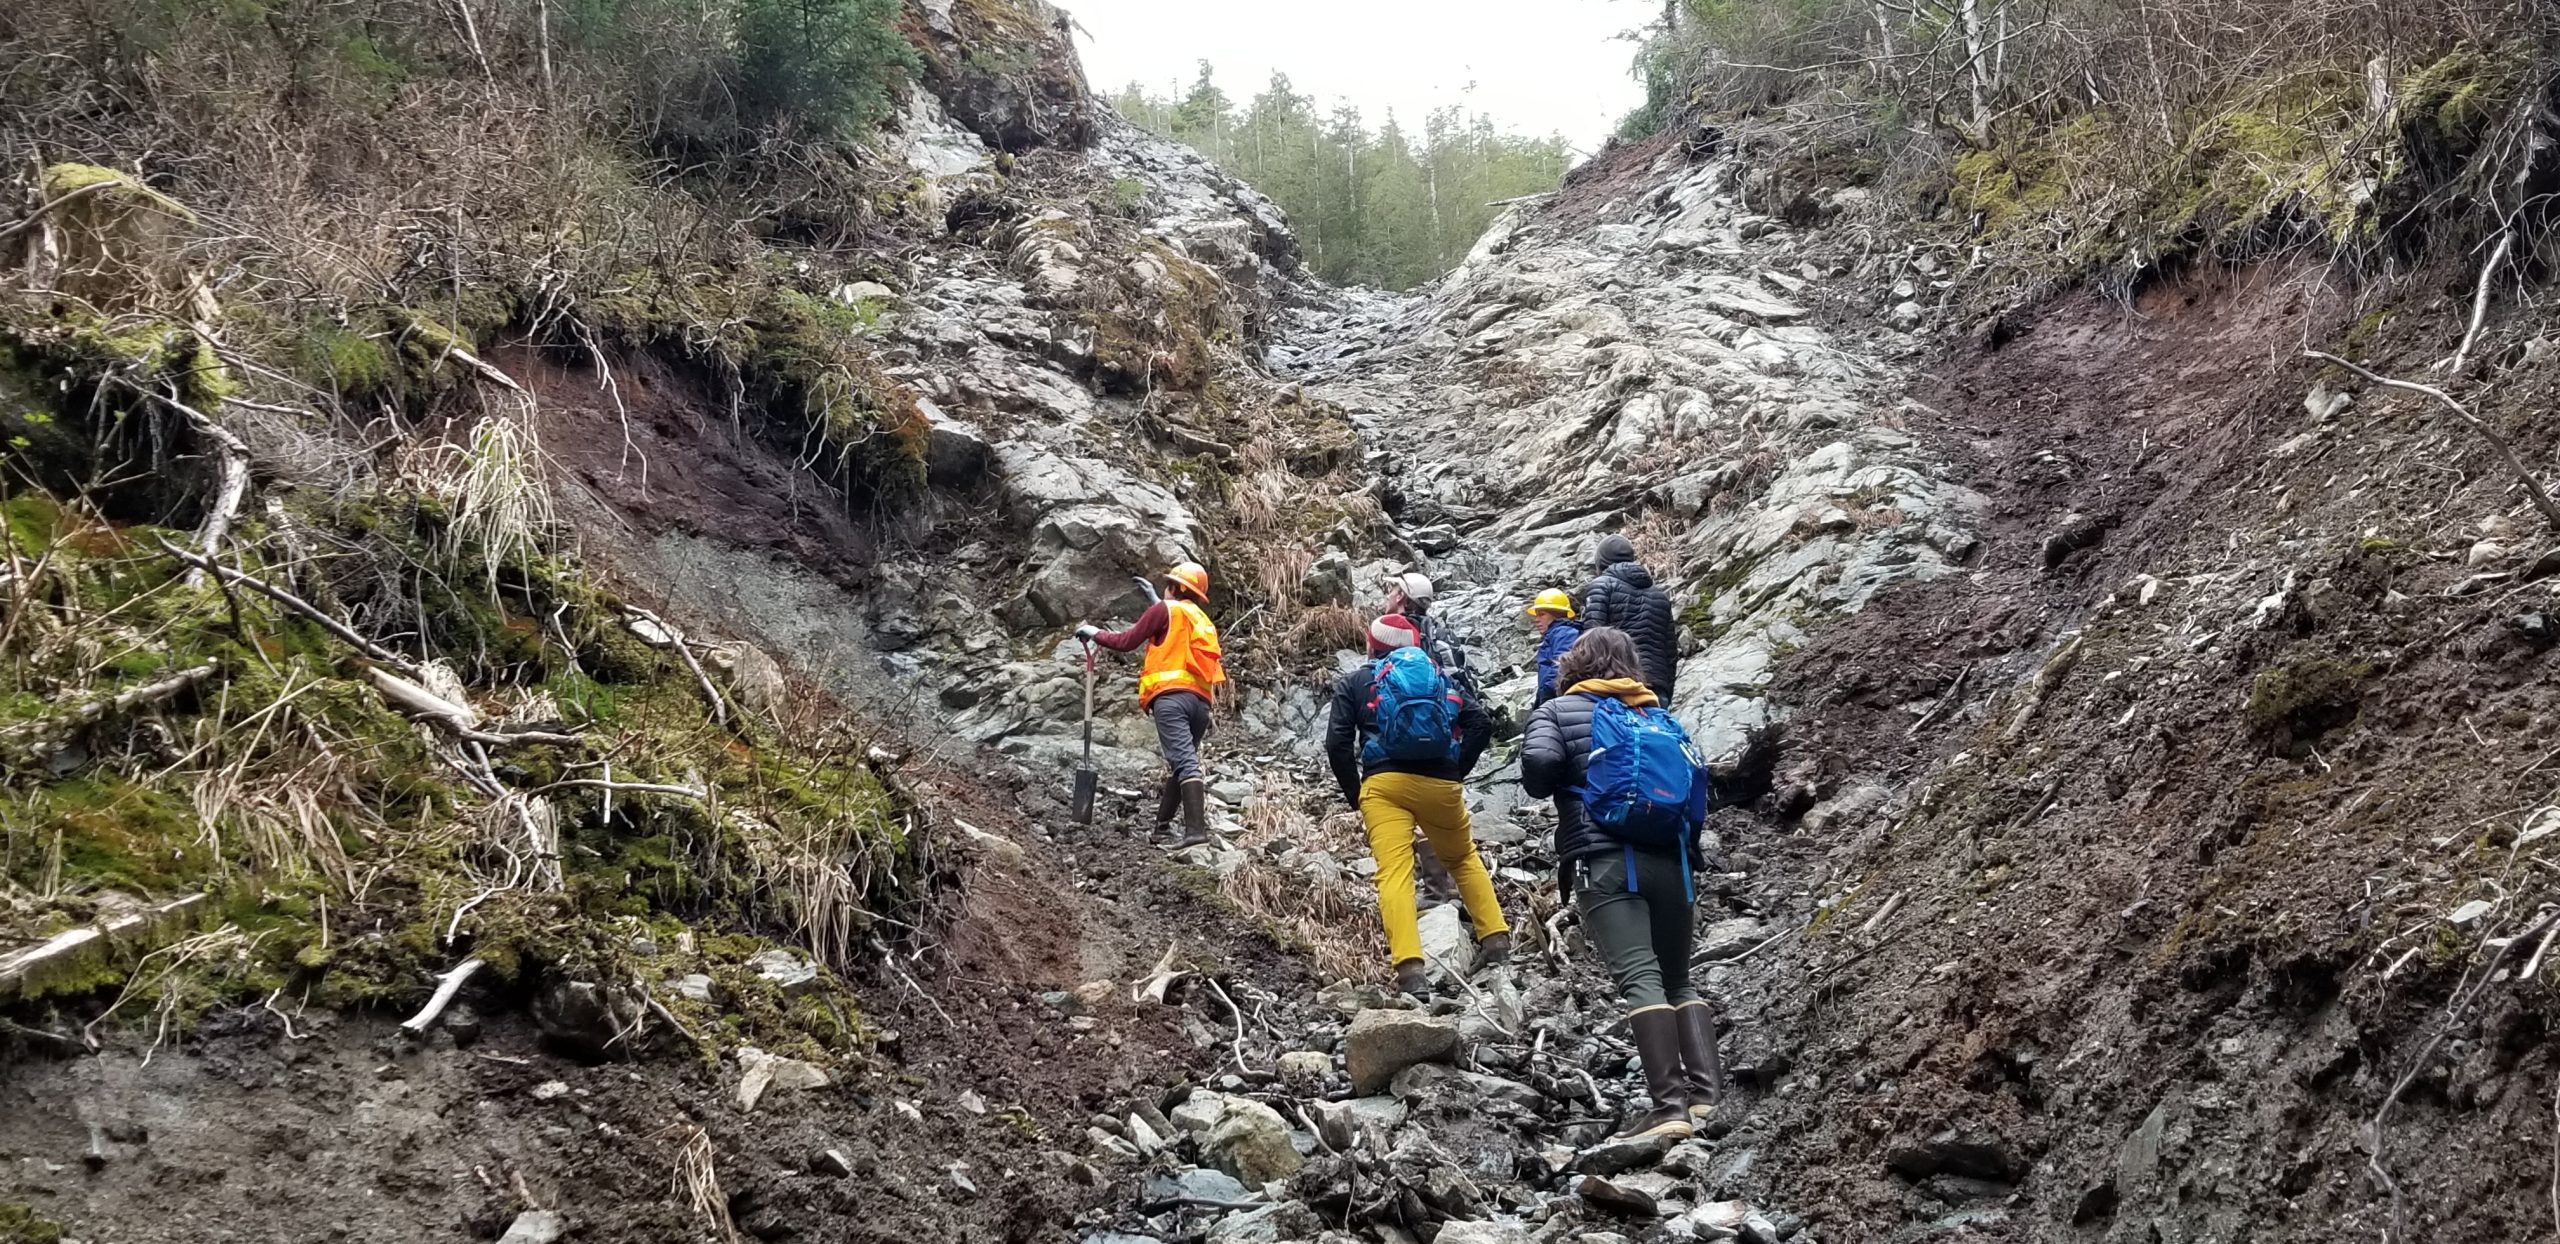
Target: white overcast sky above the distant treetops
x,y
1535,65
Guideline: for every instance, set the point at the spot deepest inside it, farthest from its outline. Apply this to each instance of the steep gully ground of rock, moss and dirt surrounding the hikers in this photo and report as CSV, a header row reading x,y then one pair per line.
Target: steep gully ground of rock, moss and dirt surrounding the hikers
x,y
2129,728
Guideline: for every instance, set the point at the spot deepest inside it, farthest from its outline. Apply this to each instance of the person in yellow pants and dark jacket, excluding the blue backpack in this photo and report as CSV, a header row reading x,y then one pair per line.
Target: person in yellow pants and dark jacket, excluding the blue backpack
x,y
1399,797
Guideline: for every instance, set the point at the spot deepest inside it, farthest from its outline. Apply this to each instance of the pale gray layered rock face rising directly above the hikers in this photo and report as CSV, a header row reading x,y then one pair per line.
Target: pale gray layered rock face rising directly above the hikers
x,y
1578,383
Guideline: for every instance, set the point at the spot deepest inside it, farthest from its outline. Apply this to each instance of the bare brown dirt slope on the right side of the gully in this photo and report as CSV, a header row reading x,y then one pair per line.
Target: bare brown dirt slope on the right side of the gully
x,y
2152,925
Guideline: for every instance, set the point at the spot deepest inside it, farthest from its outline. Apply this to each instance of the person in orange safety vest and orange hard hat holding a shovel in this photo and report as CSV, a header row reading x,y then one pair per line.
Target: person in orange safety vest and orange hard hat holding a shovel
x,y
1176,690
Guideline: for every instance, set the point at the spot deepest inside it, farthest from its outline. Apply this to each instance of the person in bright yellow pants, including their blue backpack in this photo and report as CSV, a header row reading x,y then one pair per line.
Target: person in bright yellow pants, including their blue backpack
x,y
1402,744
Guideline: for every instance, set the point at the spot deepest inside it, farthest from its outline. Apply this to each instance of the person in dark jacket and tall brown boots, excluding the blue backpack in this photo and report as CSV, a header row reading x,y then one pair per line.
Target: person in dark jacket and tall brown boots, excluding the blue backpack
x,y
1637,905
